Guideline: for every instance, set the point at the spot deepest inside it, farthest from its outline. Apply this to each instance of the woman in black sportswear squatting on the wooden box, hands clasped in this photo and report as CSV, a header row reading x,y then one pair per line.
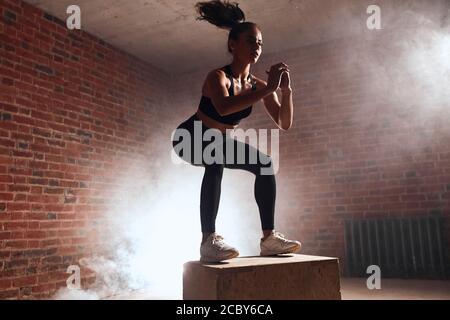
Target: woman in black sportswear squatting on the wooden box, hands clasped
x,y
227,97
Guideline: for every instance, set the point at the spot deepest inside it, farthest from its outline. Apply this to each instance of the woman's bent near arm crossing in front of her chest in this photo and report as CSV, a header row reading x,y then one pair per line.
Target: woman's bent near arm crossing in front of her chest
x,y
226,104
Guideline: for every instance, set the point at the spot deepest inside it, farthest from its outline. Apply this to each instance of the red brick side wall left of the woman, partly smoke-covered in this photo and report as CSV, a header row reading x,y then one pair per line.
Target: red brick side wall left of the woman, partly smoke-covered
x,y
74,110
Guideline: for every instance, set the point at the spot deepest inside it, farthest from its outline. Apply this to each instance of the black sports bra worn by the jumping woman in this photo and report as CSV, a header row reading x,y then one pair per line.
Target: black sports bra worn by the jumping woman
x,y
207,107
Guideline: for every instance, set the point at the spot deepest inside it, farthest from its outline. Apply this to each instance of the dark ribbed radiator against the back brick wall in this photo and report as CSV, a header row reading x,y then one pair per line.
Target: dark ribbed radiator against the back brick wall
x,y
402,247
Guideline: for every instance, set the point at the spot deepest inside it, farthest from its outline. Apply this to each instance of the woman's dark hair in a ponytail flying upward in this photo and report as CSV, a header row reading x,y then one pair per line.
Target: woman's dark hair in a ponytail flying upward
x,y
224,15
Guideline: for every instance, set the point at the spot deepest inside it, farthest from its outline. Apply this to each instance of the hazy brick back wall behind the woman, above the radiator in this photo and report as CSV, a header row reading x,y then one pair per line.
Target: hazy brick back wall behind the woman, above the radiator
x,y
354,150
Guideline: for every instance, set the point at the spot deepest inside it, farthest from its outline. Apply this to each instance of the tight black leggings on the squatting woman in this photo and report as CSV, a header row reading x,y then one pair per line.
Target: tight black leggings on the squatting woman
x,y
265,184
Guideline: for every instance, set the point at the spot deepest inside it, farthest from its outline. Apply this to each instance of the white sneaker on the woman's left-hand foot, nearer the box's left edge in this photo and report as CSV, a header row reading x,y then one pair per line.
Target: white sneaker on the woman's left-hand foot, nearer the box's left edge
x,y
214,249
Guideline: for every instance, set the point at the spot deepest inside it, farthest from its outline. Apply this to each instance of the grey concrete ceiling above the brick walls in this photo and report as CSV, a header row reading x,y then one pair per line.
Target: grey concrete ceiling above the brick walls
x,y
166,34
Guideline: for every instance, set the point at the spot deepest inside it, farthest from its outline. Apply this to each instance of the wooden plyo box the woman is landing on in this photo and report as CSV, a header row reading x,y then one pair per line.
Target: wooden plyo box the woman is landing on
x,y
284,277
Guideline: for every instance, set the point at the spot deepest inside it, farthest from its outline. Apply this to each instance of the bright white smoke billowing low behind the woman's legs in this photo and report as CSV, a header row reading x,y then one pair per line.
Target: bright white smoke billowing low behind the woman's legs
x,y
155,228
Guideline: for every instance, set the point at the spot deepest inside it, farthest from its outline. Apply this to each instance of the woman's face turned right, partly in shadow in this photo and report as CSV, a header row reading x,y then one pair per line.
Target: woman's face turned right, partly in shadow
x,y
248,48
